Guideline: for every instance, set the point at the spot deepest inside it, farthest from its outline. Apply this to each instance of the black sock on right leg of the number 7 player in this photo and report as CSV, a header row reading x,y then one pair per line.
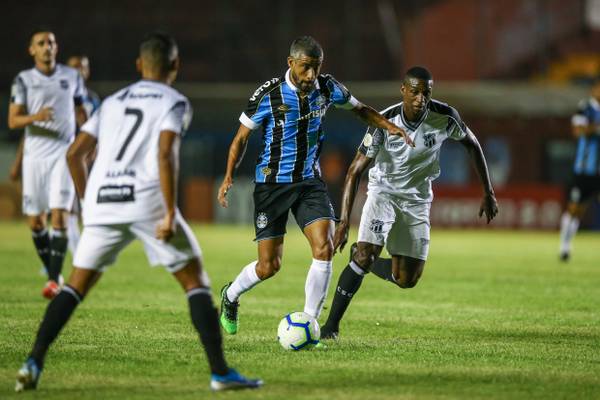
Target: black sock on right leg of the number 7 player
x,y
206,321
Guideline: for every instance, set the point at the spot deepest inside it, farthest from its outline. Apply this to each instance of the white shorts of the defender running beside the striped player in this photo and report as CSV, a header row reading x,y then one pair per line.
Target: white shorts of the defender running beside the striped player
x,y
403,227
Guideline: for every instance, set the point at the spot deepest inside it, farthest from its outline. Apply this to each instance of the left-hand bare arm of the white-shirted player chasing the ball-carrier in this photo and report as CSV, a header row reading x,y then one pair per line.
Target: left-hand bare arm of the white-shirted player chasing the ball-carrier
x,y
358,166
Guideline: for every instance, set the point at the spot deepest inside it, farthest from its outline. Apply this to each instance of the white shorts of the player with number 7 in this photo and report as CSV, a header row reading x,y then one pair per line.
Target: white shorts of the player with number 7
x,y
100,245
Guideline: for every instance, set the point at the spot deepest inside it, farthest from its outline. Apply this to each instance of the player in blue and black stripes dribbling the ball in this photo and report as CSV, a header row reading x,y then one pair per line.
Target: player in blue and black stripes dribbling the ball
x,y
290,110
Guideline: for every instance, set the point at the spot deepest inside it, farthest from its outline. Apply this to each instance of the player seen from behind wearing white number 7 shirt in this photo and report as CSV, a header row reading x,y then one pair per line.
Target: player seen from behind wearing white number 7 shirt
x,y
130,194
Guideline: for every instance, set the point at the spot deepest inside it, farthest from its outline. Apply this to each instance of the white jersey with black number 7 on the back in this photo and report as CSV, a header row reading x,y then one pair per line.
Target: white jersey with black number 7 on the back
x,y
124,184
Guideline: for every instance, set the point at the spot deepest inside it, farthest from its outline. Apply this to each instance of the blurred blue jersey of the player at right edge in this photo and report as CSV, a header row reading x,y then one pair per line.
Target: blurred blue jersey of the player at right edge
x,y
587,159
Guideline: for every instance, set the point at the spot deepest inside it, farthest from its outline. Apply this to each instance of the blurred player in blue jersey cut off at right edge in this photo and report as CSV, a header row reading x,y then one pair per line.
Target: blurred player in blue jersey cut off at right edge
x,y
586,169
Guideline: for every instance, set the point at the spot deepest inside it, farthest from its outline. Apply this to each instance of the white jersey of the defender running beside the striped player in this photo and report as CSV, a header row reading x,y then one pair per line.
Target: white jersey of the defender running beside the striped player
x,y
404,171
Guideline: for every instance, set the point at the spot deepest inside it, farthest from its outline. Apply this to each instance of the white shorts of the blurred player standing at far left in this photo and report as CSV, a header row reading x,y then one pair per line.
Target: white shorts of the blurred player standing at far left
x,y
47,185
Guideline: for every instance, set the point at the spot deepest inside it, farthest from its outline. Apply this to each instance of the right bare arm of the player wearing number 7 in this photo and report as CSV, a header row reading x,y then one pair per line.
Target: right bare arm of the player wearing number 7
x,y
168,146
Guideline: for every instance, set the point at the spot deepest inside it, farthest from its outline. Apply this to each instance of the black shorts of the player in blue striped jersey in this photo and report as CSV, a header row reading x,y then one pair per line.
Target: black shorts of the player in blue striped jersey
x,y
308,201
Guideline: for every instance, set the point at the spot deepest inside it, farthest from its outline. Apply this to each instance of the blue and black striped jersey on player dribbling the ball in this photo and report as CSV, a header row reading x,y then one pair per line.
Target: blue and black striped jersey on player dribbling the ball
x,y
292,131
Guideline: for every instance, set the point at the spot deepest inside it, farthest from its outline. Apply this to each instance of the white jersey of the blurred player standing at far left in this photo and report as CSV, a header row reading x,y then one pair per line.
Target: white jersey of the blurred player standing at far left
x,y
62,91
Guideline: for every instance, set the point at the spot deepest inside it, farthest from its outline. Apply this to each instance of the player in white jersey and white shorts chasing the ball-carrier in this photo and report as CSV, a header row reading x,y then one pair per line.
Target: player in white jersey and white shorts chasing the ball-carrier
x,y
396,213
